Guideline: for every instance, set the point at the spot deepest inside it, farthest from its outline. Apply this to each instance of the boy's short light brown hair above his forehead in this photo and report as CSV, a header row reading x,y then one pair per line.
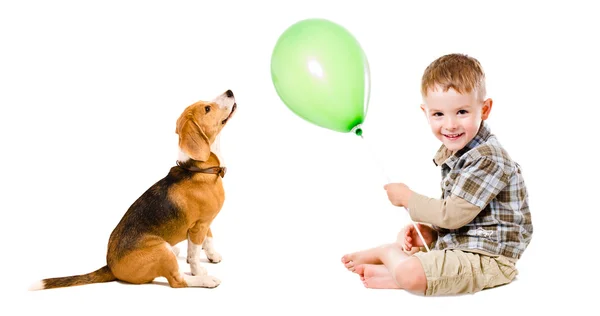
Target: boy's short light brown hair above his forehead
x,y
457,71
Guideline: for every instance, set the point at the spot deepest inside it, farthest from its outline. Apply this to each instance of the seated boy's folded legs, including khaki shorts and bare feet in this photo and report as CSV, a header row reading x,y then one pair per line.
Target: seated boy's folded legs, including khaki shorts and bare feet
x,y
437,272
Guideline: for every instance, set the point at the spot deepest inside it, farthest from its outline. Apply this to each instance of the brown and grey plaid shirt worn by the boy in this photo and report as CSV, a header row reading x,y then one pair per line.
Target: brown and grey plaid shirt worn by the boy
x,y
483,174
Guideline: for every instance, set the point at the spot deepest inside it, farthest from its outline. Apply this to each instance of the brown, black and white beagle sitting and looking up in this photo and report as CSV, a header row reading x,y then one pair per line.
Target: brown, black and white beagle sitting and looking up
x,y
180,206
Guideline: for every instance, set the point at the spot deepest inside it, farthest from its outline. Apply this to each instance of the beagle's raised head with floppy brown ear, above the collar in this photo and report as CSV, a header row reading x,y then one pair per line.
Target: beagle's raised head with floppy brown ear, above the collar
x,y
201,122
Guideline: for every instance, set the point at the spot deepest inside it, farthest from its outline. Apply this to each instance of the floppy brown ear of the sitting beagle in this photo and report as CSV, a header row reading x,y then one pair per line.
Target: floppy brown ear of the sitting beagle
x,y
192,139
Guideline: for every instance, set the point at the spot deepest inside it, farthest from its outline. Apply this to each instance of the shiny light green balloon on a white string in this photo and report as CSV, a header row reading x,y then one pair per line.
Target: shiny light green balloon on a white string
x,y
322,74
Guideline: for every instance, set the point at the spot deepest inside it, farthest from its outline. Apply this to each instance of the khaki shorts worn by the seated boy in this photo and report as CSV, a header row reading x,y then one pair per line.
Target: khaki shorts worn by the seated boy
x,y
453,271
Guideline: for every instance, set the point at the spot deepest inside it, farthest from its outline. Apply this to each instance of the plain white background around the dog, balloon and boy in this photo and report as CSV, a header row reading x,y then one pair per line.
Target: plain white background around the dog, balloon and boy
x,y
90,93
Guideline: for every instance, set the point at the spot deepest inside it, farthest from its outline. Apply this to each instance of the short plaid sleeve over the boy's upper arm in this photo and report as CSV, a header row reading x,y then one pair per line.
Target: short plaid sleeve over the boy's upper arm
x,y
480,182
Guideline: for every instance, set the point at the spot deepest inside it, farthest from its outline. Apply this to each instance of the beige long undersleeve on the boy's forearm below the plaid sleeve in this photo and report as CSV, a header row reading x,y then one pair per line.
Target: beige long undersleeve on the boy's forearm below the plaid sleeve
x,y
450,213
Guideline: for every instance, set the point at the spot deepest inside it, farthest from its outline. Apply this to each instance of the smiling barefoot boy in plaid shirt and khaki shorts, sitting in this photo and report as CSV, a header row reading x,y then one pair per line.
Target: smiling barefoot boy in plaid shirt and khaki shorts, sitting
x,y
481,226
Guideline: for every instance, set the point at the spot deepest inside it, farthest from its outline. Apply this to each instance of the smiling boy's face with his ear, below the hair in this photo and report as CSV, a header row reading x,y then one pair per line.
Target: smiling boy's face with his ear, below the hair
x,y
455,118
